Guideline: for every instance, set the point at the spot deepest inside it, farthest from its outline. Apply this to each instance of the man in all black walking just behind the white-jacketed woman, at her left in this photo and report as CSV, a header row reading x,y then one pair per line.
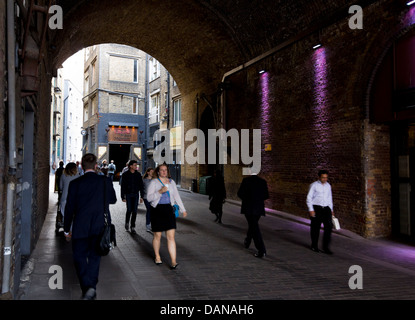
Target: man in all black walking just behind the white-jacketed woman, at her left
x,y
131,185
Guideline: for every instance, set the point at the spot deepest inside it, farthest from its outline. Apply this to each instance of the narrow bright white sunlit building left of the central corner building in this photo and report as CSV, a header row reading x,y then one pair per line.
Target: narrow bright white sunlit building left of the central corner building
x,y
72,137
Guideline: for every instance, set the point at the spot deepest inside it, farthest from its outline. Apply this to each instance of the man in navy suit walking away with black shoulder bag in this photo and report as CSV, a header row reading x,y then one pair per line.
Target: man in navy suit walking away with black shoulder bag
x,y
84,212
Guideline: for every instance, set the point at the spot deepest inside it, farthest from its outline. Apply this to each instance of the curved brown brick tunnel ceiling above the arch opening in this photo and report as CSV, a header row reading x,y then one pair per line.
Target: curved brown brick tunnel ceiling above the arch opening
x,y
196,40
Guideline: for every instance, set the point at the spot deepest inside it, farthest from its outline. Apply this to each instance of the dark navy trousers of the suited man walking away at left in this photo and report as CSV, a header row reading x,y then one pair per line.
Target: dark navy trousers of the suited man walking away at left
x,y
87,261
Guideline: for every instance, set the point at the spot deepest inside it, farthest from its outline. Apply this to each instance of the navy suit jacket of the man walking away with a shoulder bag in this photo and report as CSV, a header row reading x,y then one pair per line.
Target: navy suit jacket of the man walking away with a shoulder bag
x,y
85,205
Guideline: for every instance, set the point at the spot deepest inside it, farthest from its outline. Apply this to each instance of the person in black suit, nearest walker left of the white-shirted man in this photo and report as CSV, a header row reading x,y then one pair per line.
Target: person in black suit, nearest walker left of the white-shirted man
x,y
253,192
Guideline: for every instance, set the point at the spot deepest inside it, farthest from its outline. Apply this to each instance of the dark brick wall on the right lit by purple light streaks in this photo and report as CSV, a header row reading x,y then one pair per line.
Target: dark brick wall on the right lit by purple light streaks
x,y
312,108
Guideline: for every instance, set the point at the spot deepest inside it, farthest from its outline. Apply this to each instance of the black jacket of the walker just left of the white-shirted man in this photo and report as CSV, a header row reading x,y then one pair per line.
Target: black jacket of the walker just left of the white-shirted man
x,y
253,192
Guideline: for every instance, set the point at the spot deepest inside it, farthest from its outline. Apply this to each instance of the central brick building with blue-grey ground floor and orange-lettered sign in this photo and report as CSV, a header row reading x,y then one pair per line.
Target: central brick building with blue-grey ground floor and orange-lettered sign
x,y
114,104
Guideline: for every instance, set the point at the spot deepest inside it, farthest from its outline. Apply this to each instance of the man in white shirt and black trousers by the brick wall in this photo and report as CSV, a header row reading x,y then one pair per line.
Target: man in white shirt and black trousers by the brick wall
x,y
320,206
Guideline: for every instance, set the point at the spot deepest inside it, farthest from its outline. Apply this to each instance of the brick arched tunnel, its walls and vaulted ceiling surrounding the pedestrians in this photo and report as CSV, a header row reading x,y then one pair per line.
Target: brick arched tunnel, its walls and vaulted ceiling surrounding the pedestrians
x,y
254,63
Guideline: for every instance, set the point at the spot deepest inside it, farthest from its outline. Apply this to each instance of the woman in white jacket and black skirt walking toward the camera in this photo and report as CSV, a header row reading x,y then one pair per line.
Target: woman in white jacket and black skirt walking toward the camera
x,y
162,194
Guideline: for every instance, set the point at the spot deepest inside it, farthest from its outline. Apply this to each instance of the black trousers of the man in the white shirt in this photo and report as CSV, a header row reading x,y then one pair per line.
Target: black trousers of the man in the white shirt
x,y
323,215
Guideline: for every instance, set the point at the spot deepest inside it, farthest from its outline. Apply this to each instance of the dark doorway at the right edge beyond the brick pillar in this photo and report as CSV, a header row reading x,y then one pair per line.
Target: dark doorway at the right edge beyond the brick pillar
x,y
403,173
